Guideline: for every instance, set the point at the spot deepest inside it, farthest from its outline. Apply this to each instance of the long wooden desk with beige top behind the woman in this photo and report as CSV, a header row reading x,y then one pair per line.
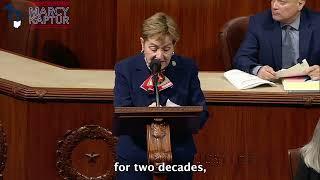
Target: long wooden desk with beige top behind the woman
x,y
247,136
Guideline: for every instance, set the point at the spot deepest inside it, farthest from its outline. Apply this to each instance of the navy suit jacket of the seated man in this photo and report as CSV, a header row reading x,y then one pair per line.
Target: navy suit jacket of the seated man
x,y
262,44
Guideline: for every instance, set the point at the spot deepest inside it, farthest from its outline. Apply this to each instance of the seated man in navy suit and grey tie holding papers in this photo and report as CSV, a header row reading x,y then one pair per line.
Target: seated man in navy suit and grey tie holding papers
x,y
280,38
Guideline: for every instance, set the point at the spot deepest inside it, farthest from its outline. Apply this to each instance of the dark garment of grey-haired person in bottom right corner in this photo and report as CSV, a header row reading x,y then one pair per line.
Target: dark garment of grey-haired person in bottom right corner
x,y
306,173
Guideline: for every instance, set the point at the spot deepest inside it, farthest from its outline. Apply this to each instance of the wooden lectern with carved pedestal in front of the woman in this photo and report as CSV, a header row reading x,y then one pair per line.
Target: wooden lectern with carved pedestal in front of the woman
x,y
158,122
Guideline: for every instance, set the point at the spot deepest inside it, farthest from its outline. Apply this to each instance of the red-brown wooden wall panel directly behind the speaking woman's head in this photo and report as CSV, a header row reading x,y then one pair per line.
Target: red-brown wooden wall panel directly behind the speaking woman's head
x,y
199,22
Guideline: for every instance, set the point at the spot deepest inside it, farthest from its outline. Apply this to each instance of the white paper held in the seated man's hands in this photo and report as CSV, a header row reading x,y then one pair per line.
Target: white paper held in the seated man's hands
x,y
296,70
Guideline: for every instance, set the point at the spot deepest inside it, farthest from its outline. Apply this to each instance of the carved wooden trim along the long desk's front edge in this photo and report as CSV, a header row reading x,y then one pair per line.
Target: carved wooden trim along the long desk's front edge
x,y
23,92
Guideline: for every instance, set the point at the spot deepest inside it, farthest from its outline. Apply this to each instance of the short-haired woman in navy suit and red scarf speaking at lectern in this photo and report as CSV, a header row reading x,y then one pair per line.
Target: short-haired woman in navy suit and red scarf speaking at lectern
x,y
178,84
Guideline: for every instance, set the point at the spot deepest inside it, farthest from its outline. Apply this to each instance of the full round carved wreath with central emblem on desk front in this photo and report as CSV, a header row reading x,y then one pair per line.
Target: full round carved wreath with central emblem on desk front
x,y
74,138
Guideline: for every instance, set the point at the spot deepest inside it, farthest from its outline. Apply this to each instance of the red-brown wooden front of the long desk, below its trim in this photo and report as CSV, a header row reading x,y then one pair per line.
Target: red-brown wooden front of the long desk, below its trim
x,y
239,141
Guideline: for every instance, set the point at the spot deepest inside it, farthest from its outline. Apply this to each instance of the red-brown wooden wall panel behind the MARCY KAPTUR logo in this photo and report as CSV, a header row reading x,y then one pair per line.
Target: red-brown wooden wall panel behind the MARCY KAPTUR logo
x,y
90,41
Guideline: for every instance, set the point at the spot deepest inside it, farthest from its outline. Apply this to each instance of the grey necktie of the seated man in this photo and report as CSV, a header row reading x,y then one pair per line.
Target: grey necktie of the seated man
x,y
288,53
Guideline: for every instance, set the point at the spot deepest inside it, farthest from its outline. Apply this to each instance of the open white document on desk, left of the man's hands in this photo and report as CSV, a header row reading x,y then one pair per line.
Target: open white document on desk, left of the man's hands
x,y
243,80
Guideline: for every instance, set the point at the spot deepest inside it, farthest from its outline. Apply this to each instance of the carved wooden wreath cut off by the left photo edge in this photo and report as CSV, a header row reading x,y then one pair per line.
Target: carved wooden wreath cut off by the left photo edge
x,y
3,151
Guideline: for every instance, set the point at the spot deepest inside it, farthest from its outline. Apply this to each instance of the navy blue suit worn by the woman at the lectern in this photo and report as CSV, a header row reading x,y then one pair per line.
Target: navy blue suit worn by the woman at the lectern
x,y
183,73
